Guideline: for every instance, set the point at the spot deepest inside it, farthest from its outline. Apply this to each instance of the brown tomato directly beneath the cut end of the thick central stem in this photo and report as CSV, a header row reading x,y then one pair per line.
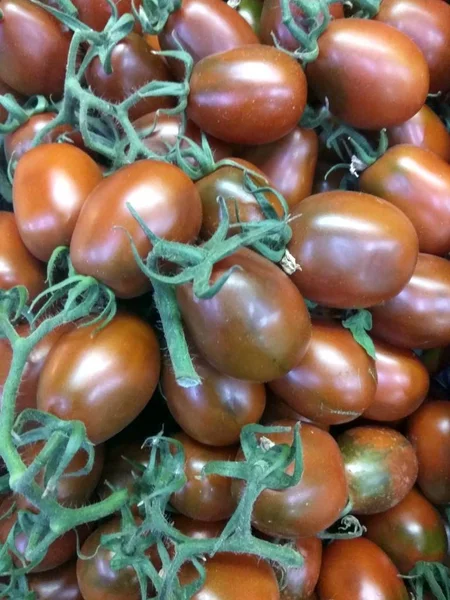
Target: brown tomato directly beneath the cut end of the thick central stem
x,y
214,411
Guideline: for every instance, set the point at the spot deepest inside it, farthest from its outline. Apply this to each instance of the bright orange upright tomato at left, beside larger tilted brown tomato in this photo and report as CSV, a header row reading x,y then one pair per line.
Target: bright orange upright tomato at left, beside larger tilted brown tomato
x,y
51,184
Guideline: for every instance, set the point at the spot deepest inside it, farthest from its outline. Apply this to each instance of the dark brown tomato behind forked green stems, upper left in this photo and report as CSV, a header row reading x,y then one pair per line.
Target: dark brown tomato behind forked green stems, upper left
x,y
134,64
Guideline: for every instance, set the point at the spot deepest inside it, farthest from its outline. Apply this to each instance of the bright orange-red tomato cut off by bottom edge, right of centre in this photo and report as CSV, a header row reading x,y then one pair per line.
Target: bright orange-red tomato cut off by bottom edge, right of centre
x,y
358,570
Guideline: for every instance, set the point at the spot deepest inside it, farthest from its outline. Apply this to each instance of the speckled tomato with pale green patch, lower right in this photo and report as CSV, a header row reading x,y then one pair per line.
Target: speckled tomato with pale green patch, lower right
x,y
380,465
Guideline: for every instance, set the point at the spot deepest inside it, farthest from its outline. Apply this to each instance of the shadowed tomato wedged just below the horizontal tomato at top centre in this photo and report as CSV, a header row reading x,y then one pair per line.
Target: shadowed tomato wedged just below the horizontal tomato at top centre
x,y
289,163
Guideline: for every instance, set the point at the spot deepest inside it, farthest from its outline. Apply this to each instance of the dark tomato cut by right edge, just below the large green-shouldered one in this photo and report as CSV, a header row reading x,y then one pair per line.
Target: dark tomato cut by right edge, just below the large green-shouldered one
x,y
419,316
